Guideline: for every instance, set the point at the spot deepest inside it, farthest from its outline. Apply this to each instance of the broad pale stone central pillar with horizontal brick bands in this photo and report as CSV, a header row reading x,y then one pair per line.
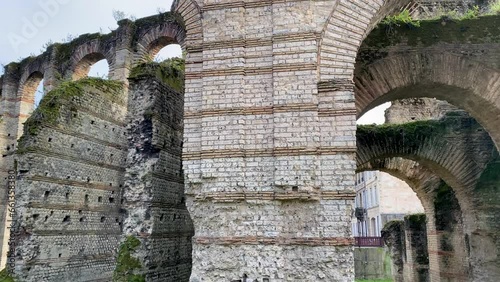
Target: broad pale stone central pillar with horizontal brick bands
x,y
268,149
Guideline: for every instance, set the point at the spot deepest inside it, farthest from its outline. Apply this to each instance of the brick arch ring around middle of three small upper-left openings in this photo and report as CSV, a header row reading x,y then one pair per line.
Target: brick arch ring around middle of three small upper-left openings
x,y
87,54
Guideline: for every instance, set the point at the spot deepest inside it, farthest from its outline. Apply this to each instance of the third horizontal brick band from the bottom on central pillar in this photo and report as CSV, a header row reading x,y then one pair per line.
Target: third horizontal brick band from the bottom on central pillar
x,y
273,152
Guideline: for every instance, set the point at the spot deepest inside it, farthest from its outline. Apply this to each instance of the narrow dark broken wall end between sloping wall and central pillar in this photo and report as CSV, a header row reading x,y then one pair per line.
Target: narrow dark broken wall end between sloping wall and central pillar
x,y
154,203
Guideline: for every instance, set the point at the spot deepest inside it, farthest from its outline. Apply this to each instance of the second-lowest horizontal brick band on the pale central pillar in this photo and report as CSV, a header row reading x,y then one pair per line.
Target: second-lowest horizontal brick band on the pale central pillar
x,y
276,196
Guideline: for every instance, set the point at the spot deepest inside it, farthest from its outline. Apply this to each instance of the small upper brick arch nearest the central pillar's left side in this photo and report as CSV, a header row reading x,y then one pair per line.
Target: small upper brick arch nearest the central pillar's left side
x,y
153,40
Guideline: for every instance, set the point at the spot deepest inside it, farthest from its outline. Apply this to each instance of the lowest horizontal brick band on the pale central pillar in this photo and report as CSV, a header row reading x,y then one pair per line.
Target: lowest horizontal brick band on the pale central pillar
x,y
280,241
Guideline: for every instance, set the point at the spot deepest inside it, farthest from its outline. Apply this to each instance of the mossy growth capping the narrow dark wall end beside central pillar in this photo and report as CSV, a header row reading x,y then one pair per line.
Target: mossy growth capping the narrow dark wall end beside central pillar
x,y
170,72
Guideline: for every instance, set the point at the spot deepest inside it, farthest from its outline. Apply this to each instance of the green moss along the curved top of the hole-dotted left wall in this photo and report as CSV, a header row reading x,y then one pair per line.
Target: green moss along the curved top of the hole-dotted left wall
x,y
49,109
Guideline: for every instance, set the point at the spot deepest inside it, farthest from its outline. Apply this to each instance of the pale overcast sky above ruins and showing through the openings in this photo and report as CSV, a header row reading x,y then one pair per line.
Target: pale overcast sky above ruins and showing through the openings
x,y
27,25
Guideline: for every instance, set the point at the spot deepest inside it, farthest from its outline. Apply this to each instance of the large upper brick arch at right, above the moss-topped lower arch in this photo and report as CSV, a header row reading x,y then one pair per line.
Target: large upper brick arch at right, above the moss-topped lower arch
x,y
462,82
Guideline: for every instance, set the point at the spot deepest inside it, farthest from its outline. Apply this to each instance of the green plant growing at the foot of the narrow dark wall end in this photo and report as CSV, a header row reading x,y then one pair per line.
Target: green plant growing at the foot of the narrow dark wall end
x,y
126,263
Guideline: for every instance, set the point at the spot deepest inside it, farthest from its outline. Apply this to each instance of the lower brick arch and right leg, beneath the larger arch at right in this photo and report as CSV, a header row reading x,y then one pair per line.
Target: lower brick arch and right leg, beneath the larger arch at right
x,y
436,157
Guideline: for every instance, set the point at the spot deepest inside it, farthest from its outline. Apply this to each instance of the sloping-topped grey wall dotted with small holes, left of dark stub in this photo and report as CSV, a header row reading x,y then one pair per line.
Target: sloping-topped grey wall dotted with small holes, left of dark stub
x,y
70,167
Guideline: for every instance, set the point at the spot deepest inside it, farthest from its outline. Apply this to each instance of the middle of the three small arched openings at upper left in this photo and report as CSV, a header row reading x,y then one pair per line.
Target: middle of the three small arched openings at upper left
x,y
93,64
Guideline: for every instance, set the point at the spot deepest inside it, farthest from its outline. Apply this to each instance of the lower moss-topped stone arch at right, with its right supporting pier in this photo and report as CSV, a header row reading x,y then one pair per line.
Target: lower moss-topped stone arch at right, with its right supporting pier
x,y
460,160
